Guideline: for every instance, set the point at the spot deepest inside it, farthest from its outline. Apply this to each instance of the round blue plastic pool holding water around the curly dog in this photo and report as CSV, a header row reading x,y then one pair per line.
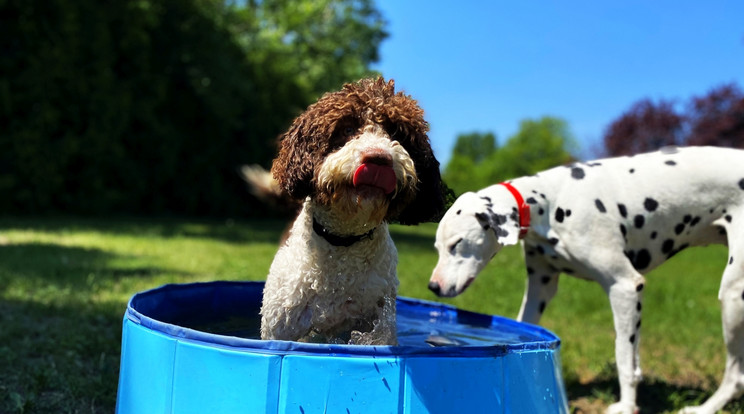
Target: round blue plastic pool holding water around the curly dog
x,y
193,349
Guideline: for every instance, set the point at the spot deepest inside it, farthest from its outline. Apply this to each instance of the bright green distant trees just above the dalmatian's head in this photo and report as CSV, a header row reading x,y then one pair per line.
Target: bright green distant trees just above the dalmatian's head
x,y
538,145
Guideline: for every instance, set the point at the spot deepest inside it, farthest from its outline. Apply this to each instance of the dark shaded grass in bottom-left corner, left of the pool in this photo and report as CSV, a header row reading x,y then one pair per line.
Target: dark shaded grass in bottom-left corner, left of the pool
x,y
59,358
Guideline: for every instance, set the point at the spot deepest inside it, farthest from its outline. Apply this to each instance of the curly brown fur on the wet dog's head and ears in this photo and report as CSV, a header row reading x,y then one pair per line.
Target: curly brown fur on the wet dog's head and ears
x,y
340,116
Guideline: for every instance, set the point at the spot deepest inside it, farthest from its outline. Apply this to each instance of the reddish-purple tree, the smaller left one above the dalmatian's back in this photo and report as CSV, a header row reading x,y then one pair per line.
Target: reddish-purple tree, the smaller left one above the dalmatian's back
x,y
646,126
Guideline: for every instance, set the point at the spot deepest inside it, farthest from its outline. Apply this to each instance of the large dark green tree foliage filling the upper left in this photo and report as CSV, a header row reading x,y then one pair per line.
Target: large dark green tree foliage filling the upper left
x,y
150,106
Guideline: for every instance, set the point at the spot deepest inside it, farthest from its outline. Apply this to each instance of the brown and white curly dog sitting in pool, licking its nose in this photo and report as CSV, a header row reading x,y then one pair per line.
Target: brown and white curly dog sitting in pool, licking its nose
x,y
358,159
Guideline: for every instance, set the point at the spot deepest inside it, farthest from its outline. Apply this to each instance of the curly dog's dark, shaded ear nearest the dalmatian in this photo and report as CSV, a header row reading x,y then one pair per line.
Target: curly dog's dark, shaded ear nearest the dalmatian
x,y
427,204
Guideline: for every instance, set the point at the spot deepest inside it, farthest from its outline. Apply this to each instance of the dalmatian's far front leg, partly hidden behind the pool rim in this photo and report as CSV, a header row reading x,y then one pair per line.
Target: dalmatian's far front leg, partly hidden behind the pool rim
x,y
542,284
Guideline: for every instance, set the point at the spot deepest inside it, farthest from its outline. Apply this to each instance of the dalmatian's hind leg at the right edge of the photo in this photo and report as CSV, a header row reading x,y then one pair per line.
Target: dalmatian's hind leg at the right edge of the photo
x,y
731,295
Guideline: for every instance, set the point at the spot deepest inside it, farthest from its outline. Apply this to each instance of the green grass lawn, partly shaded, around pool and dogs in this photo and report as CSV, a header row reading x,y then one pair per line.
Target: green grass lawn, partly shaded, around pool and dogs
x,y
64,285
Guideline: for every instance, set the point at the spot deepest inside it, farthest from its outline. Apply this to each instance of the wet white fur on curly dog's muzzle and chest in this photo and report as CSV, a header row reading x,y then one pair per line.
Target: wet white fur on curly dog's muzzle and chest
x,y
317,289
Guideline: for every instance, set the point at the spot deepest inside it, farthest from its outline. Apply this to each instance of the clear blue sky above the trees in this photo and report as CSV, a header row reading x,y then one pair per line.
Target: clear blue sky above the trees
x,y
487,65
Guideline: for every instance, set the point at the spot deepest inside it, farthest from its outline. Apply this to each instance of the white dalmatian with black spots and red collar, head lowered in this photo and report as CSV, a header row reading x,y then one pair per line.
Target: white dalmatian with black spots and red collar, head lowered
x,y
610,221
